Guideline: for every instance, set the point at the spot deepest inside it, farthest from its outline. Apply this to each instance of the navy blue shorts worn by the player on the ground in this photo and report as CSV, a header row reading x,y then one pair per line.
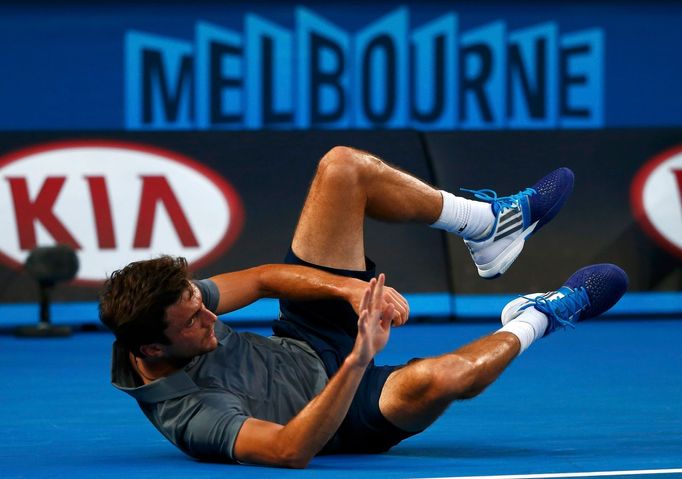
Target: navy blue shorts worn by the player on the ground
x,y
330,327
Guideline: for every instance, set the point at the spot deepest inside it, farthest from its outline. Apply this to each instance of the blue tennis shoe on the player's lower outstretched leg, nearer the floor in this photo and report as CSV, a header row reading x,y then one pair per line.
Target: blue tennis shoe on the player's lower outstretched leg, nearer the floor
x,y
589,292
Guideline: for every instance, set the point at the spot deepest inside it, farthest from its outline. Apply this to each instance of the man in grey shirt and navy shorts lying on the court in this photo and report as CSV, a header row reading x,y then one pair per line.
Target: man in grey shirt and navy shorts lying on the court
x,y
313,387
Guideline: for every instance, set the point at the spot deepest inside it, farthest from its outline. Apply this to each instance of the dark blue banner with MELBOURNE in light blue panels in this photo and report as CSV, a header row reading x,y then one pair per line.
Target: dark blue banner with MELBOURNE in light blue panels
x,y
425,65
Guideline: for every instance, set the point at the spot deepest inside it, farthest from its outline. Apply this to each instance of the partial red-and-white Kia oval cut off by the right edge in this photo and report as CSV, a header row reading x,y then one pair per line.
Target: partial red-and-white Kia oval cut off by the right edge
x,y
656,196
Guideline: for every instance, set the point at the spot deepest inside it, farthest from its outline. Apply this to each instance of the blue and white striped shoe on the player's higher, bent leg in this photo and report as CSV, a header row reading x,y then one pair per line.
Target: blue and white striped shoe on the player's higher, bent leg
x,y
516,218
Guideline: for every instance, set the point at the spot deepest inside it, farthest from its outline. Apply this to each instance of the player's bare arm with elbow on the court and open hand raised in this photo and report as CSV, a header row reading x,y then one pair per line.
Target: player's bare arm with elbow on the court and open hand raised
x,y
295,444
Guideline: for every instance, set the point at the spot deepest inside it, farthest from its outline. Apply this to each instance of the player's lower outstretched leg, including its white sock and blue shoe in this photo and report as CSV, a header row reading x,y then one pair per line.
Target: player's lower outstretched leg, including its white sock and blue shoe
x,y
414,396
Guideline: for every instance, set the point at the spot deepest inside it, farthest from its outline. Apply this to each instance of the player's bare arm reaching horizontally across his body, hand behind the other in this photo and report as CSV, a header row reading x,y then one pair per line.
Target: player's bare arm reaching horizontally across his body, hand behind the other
x,y
241,288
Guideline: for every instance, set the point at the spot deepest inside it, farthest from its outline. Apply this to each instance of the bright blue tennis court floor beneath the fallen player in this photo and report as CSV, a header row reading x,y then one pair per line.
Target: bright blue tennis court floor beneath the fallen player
x,y
600,401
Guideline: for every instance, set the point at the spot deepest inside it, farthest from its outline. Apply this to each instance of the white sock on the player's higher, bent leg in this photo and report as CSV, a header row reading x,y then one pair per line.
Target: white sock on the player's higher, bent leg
x,y
467,218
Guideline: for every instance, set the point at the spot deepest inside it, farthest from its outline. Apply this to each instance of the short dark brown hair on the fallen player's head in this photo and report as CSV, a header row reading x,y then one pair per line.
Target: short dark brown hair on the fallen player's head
x,y
134,299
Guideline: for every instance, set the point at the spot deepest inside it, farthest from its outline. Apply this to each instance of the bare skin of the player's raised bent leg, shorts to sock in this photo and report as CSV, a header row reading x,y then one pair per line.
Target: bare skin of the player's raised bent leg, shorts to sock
x,y
348,185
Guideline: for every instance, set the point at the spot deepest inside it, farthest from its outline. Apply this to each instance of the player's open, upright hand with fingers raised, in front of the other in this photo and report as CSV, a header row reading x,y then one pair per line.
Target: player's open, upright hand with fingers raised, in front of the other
x,y
374,323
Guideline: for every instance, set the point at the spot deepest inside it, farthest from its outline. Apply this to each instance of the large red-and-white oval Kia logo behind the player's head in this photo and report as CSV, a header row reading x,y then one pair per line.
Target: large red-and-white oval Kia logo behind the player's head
x,y
114,202
